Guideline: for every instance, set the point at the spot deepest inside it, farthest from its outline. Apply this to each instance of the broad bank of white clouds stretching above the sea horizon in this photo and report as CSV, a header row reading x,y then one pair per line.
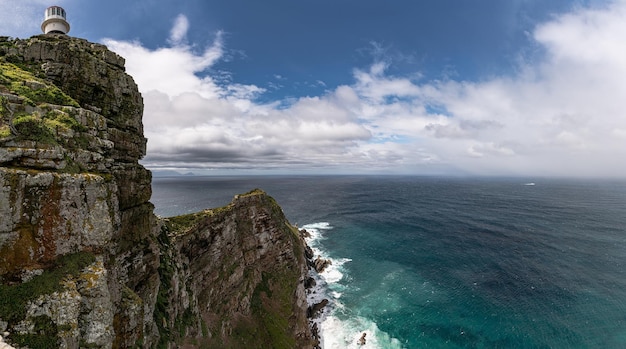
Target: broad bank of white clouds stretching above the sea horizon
x,y
560,115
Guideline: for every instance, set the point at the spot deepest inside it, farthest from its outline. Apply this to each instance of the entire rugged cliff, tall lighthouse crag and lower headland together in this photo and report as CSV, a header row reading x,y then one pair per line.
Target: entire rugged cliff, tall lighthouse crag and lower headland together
x,y
83,259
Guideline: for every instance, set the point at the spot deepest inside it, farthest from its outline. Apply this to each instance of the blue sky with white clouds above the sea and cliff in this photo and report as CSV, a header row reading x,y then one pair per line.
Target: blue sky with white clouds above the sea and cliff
x,y
432,87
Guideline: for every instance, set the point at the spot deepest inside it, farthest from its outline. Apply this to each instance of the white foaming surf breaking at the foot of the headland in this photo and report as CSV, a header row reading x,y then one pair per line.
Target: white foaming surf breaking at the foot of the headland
x,y
339,326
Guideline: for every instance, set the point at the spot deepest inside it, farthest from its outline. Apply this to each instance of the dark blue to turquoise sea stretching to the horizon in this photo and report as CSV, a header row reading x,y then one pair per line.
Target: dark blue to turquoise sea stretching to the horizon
x,y
422,262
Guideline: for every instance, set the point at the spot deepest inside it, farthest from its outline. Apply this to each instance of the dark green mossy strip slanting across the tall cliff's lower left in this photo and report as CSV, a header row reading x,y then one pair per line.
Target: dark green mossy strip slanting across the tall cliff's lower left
x,y
14,298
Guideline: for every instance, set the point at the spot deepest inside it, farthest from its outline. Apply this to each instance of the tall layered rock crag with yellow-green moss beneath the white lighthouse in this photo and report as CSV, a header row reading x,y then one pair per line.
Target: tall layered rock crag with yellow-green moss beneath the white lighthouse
x,y
73,196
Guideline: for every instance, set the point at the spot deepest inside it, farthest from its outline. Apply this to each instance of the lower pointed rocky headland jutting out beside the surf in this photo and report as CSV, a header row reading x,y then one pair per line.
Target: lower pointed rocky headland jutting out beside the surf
x,y
253,260
